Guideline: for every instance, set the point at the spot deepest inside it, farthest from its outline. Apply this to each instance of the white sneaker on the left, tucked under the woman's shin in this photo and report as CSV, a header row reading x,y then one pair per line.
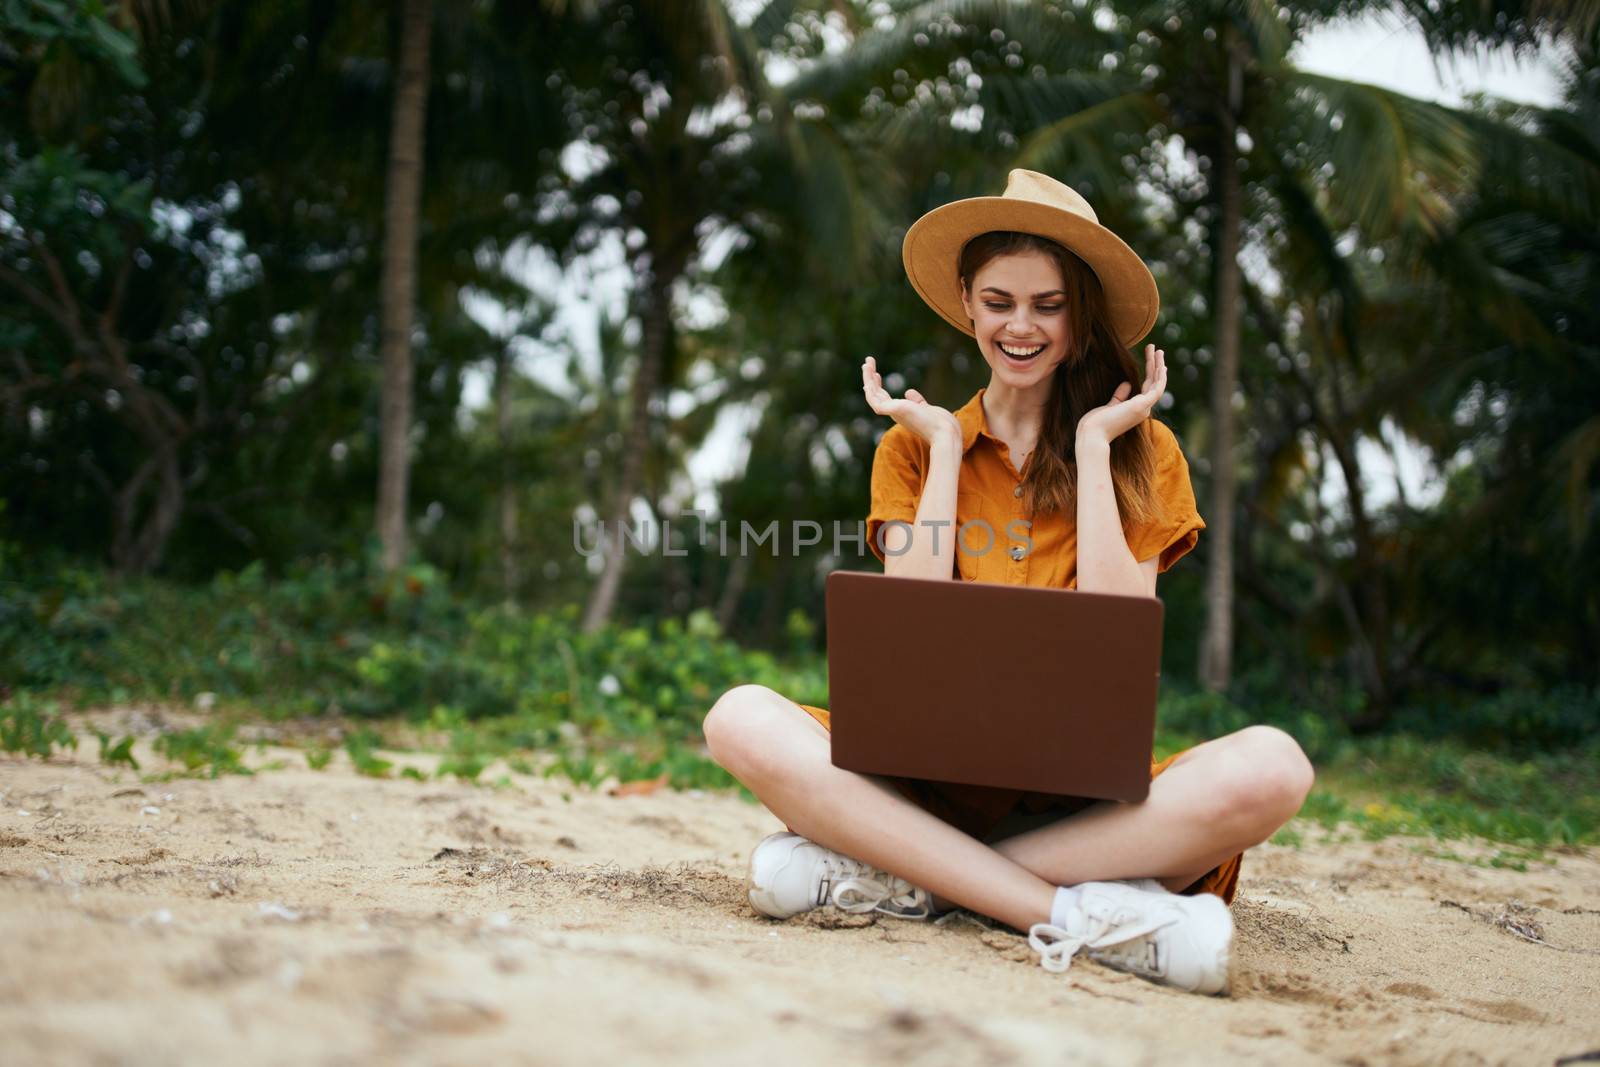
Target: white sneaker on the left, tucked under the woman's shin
x,y
791,876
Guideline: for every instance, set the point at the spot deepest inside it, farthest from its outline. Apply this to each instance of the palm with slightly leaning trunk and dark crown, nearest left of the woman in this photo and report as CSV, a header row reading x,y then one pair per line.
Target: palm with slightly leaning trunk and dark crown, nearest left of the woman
x,y
670,95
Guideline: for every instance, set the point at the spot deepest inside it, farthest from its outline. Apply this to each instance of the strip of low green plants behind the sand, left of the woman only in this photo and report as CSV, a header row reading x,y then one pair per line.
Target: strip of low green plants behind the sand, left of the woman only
x,y
332,639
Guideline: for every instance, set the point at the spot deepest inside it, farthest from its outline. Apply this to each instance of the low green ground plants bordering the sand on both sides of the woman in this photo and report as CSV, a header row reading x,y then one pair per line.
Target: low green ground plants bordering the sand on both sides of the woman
x,y
626,705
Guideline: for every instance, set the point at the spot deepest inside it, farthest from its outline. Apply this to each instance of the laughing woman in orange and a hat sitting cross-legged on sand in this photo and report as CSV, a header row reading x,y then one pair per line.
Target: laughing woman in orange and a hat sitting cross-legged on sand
x,y
1062,439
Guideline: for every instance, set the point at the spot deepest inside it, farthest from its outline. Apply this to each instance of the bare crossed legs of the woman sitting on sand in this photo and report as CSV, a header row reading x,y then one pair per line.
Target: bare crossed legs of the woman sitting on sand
x,y
1215,801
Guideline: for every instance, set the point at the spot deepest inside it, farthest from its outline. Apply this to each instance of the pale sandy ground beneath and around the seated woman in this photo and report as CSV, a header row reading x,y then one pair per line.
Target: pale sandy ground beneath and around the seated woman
x,y
326,919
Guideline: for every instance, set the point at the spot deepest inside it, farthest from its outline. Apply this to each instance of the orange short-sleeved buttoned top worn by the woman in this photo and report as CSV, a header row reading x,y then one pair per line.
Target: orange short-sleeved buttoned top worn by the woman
x,y
991,490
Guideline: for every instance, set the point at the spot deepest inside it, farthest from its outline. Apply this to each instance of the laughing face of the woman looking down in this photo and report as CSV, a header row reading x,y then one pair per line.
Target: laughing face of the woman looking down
x,y
1020,316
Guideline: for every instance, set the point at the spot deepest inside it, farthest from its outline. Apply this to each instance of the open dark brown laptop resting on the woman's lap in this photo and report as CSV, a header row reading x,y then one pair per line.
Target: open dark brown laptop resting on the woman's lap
x,y
986,684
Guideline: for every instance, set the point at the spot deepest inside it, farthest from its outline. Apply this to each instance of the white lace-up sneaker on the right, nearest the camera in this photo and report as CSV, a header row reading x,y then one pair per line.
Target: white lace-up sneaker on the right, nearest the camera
x,y
1140,927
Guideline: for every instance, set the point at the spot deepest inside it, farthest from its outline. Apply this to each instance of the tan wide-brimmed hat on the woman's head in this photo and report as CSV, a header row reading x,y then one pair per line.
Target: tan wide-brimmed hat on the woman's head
x,y
1033,204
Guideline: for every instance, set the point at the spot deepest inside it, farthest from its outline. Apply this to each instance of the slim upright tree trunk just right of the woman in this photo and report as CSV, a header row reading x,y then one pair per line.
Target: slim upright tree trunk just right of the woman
x,y
1217,641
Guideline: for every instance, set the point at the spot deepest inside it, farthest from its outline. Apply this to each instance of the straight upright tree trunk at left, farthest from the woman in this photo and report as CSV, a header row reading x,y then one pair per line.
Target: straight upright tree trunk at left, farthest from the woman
x,y
402,206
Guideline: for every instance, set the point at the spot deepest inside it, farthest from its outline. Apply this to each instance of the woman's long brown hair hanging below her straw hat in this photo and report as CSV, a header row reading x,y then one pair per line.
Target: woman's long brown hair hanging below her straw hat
x,y
1095,366
